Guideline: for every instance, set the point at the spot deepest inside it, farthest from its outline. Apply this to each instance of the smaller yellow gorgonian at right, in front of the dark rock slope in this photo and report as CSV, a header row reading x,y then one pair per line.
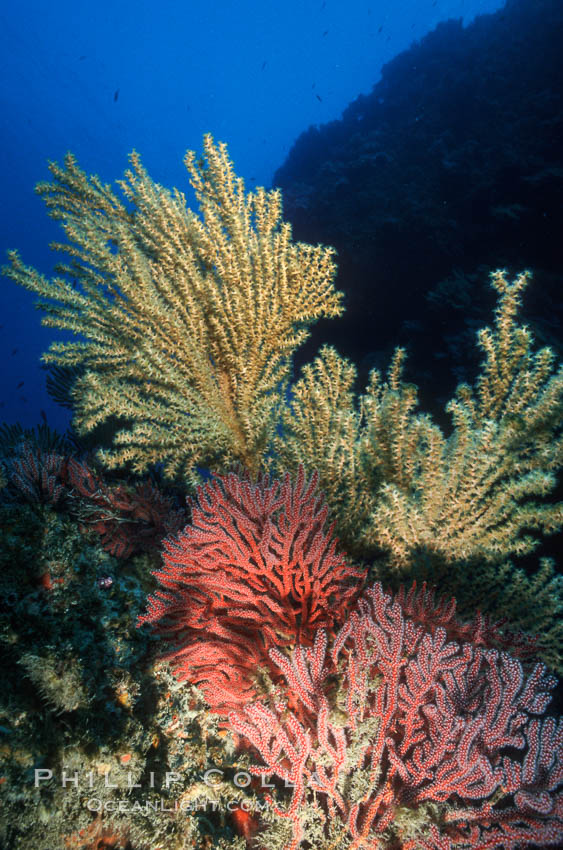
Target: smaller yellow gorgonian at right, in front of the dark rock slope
x,y
396,482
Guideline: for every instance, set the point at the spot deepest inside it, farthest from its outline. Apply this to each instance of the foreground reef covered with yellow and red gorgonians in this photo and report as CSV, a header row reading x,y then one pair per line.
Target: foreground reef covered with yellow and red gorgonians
x,y
242,608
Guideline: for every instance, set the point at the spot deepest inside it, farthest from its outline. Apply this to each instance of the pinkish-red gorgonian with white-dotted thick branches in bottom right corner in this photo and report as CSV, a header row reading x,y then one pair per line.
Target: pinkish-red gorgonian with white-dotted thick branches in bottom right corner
x,y
427,744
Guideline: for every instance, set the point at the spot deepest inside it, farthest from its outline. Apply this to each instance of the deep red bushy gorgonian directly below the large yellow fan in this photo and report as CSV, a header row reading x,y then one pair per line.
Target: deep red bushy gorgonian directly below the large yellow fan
x,y
257,567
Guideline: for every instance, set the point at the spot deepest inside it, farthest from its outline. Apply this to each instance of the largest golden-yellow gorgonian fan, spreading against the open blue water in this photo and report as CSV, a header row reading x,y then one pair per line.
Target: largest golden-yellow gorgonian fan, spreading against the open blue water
x,y
187,324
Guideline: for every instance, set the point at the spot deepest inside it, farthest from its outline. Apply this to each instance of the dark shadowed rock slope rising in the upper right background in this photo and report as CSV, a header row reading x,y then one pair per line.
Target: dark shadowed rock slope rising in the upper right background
x,y
451,167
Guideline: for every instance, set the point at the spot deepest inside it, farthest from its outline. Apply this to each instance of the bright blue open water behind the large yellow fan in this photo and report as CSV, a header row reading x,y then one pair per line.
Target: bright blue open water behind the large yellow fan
x,y
101,78
